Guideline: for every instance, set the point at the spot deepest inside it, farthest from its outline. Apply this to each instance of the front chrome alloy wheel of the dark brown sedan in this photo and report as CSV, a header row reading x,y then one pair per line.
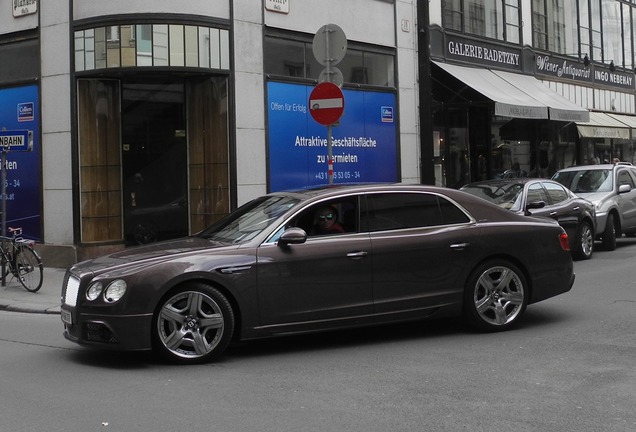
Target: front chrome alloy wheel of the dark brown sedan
x,y
190,324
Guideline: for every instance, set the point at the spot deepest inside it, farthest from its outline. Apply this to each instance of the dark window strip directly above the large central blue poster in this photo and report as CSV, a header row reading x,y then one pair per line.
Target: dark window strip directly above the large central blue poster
x,y
294,58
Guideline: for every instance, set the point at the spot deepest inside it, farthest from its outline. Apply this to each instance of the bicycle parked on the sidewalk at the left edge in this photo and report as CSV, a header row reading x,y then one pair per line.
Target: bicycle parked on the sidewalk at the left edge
x,y
19,259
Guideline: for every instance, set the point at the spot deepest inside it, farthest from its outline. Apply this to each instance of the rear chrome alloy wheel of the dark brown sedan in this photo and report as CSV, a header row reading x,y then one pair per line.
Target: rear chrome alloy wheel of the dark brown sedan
x,y
499,296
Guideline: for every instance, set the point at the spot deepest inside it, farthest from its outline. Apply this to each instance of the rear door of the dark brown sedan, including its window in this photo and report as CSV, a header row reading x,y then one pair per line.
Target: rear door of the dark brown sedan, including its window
x,y
422,246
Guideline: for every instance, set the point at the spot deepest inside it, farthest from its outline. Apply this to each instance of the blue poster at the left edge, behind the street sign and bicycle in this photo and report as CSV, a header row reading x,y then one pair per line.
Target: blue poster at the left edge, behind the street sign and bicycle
x,y
20,112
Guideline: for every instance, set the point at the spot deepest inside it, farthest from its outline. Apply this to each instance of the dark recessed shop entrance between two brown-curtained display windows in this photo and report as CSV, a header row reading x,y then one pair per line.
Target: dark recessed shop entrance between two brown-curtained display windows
x,y
154,161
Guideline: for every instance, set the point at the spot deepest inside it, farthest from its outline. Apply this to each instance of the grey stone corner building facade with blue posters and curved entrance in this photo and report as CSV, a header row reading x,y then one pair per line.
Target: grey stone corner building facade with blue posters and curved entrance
x,y
152,119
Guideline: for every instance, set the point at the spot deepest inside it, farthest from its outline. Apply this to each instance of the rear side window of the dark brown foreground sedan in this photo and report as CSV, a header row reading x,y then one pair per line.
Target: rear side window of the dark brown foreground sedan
x,y
410,210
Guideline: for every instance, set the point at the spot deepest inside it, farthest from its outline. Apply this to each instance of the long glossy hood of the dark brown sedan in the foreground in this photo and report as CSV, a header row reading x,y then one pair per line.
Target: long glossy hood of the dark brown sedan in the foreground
x,y
150,254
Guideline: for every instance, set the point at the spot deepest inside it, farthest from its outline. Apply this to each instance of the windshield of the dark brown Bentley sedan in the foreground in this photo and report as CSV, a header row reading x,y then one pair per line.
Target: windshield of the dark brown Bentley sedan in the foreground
x,y
249,220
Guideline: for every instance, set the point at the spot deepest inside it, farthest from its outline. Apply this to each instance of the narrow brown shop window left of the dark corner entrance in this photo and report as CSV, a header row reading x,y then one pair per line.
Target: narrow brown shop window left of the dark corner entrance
x,y
100,168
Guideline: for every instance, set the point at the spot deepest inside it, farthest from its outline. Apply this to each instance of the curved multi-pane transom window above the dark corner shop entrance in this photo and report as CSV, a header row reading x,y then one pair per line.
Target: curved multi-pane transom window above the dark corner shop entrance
x,y
152,45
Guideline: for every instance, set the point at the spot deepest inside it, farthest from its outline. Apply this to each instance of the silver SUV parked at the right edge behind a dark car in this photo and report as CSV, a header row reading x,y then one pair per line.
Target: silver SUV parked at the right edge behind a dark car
x,y
612,190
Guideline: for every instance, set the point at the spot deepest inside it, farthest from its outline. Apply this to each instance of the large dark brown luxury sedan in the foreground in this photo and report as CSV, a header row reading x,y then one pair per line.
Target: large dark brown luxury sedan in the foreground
x,y
403,253
